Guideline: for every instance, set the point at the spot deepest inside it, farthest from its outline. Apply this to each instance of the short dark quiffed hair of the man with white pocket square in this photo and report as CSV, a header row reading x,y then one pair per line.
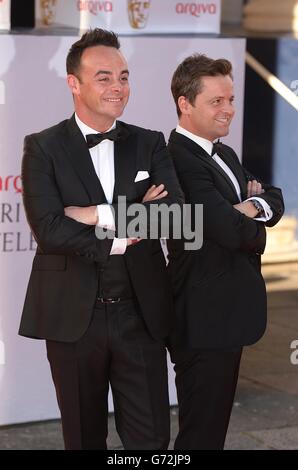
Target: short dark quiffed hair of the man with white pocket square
x,y
92,38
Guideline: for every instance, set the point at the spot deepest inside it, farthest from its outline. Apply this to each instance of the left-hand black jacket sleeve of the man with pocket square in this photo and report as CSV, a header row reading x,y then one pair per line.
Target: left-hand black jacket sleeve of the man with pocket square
x,y
53,231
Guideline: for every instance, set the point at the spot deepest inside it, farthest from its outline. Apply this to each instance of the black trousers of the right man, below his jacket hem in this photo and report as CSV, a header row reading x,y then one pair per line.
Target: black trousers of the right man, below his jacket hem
x,y
206,382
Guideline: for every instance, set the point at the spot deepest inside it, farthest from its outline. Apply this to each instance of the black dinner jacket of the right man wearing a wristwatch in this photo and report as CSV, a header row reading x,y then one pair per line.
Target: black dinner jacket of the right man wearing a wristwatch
x,y
220,294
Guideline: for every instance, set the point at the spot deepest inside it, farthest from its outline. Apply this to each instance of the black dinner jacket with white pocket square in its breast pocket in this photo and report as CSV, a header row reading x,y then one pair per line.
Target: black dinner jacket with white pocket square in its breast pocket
x,y
57,172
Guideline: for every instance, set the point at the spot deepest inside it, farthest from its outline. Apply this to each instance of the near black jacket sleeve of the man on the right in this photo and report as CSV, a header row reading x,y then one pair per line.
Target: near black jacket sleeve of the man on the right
x,y
221,222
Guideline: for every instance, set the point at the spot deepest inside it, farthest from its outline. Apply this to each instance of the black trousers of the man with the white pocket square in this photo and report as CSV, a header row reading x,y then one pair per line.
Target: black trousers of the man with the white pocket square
x,y
117,350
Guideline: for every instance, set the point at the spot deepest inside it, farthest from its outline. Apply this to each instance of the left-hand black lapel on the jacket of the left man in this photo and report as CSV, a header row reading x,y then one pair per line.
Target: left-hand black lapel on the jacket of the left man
x,y
79,156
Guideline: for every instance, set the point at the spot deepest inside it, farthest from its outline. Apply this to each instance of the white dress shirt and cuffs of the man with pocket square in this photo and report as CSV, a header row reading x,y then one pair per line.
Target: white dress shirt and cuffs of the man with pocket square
x,y
102,156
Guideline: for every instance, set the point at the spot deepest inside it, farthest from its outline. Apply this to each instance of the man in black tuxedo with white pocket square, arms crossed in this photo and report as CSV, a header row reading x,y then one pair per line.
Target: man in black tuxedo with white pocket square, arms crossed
x,y
103,303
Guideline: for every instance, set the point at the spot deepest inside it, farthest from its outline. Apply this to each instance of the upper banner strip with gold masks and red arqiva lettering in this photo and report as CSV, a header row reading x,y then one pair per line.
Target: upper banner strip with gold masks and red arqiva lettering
x,y
131,16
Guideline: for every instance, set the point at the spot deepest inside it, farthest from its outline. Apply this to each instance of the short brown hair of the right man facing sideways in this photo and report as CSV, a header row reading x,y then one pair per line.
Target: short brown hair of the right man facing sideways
x,y
187,78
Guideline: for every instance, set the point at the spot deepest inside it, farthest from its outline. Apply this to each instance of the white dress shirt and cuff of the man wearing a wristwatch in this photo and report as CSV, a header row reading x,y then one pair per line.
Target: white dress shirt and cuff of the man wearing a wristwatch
x,y
207,146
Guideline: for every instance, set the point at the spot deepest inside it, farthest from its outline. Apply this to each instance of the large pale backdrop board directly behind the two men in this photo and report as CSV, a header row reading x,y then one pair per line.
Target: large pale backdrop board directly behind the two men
x,y
33,96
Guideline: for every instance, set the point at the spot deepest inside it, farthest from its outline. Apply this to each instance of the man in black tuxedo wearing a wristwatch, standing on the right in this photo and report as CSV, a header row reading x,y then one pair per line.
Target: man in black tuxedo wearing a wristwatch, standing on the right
x,y
220,294
